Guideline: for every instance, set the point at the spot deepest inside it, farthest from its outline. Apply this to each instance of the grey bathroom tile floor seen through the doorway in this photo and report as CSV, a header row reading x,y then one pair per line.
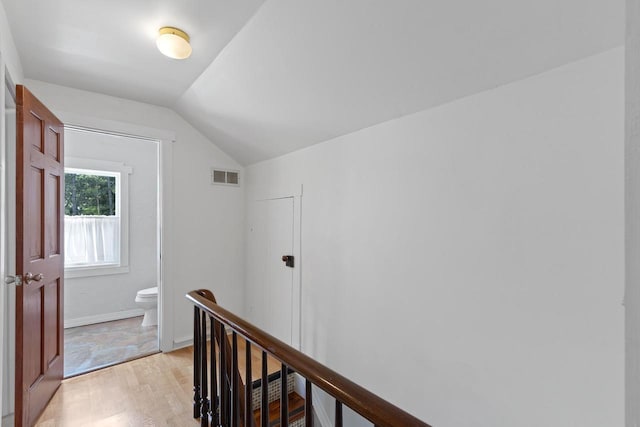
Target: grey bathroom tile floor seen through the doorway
x,y
90,347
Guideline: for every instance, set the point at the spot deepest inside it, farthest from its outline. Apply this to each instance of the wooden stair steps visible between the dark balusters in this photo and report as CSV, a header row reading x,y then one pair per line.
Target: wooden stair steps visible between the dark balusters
x,y
295,401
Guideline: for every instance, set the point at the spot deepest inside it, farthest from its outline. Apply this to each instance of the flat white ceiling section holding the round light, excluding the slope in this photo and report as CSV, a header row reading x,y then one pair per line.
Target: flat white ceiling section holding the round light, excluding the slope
x,y
108,46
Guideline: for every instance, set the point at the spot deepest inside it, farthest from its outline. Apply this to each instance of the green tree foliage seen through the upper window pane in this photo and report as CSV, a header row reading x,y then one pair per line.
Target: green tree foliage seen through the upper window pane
x,y
89,195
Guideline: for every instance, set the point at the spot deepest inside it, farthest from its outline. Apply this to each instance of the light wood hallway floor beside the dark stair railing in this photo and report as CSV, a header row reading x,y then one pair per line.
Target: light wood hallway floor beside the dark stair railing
x,y
153,391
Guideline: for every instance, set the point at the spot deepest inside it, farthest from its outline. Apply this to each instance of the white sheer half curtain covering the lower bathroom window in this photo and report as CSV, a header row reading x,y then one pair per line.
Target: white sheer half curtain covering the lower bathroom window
x,y
91,240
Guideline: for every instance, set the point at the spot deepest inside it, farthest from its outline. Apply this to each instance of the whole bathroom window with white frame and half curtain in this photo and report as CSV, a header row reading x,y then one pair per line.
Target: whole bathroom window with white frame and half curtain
x,y
96,217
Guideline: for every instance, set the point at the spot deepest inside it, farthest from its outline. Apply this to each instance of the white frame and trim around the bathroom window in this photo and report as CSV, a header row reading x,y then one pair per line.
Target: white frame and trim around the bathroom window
x,y
105,168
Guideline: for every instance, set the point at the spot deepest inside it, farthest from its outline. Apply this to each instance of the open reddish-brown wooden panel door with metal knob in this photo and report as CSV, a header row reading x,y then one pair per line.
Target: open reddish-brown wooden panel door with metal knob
x,y
39,256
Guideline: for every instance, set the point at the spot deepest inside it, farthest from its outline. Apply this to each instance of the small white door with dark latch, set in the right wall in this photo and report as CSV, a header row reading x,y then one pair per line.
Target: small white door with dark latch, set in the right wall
x,y
270,281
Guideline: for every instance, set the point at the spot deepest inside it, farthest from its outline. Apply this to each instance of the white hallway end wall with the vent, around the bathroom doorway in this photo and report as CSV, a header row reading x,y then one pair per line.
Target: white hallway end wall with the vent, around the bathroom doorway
x,y
207,222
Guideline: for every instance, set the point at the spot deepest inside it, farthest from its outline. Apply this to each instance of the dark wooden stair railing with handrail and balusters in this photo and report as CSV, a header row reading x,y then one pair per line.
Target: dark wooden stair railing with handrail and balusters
x,y
221,399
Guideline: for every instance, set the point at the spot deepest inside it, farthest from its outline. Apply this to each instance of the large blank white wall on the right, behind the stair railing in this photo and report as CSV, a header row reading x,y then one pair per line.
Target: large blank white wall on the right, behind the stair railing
x,y
466,262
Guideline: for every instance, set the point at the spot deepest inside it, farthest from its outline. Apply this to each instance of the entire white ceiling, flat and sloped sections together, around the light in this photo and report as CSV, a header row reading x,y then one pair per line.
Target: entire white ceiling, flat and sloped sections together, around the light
x,y
298,72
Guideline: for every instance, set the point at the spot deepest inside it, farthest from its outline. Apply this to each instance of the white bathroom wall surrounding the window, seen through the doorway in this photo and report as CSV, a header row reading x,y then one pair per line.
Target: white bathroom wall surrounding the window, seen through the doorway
x,y
90,299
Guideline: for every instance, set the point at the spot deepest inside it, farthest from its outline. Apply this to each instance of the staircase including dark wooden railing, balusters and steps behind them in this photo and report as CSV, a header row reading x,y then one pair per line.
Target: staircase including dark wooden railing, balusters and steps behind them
x,y
232,403
